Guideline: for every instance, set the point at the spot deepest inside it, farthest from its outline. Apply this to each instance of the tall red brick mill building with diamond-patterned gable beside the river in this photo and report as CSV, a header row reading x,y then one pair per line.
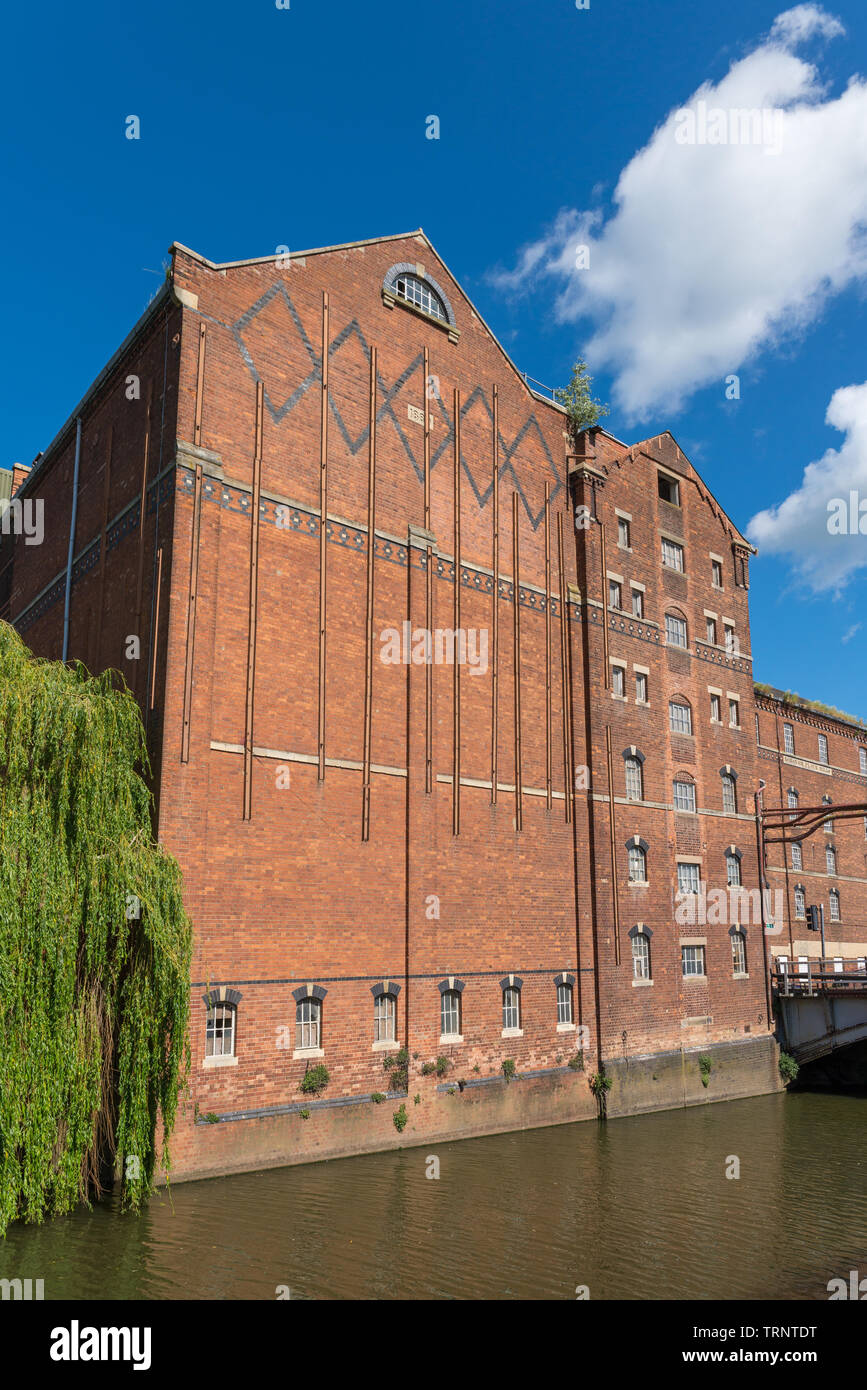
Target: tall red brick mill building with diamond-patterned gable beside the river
x,y
290,490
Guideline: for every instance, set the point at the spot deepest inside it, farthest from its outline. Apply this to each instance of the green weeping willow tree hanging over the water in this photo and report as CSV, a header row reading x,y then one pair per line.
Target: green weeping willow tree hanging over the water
x,y
95,945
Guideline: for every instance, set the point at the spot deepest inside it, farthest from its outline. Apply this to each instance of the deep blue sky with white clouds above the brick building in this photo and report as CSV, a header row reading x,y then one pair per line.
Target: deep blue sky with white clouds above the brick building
x,y
304,127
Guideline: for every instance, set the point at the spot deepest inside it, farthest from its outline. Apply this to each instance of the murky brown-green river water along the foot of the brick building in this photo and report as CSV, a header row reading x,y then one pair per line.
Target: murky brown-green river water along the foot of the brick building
x,y
633,1209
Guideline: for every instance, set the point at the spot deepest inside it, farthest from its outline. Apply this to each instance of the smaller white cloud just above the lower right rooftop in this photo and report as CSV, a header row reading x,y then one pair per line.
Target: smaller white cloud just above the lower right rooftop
x,y
818,526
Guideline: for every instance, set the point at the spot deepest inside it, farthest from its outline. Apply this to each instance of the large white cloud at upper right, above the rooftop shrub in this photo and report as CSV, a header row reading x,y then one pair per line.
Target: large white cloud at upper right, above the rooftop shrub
x,y
719,251
